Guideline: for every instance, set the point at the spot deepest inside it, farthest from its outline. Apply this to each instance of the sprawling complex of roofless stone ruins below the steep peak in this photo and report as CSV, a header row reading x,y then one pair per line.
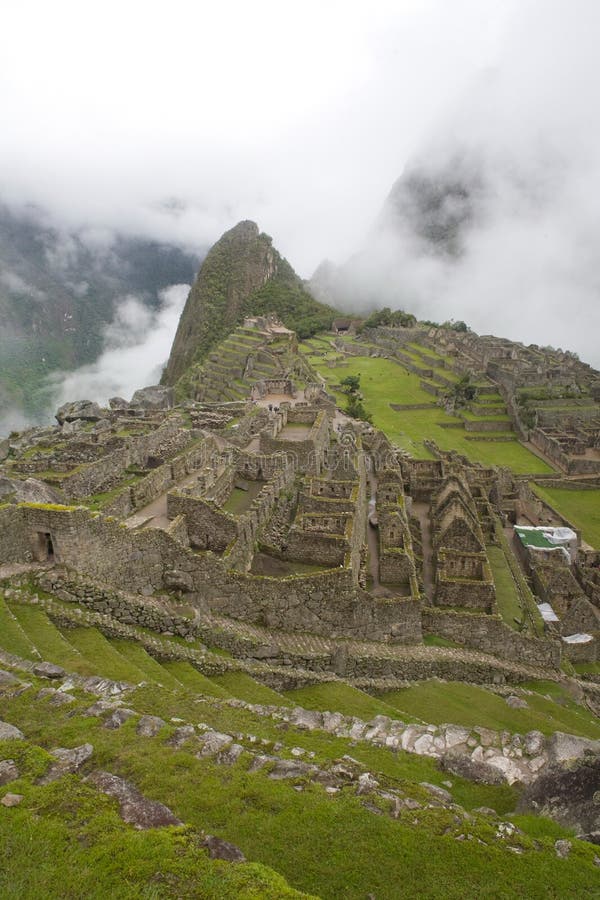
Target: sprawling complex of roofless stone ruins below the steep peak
x,y
287,516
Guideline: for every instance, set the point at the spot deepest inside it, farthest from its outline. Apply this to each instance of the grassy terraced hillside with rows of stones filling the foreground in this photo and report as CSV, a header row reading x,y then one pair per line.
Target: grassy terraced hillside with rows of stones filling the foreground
x,y
159,743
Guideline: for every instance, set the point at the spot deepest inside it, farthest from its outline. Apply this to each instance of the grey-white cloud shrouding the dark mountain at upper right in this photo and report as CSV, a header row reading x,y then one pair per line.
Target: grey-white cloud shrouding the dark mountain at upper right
x,y
494,220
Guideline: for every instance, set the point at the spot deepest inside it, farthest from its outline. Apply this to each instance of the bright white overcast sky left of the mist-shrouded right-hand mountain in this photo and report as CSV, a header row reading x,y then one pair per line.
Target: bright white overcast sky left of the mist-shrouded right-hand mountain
x,y
299,116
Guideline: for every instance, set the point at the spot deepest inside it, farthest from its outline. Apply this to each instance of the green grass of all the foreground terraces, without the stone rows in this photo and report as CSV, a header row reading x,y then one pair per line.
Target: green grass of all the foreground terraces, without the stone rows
x,y
67,840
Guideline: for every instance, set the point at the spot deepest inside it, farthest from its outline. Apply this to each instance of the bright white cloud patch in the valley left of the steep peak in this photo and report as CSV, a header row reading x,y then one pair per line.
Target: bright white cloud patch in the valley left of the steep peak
x,y
136,347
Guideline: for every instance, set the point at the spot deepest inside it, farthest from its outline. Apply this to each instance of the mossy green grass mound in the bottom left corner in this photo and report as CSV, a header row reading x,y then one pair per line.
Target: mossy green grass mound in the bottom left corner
x,y
68,840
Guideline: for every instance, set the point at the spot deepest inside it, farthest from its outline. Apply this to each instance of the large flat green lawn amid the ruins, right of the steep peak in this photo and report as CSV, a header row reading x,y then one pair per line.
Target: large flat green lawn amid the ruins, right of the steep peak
x,y
384,382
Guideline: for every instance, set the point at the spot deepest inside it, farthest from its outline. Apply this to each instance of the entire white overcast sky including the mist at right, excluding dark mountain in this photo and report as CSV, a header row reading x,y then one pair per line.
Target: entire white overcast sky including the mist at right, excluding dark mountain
x,y
180,118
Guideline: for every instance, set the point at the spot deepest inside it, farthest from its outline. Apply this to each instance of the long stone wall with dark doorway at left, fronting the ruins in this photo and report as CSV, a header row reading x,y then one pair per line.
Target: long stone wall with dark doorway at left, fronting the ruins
x,y
143,562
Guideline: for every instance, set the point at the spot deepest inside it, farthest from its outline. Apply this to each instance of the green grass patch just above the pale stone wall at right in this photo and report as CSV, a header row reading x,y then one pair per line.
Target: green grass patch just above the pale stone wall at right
x,y
466,704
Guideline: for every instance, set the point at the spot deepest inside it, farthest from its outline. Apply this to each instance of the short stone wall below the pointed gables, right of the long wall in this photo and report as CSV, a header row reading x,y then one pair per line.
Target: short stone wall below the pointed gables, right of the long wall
x,y
491,635
